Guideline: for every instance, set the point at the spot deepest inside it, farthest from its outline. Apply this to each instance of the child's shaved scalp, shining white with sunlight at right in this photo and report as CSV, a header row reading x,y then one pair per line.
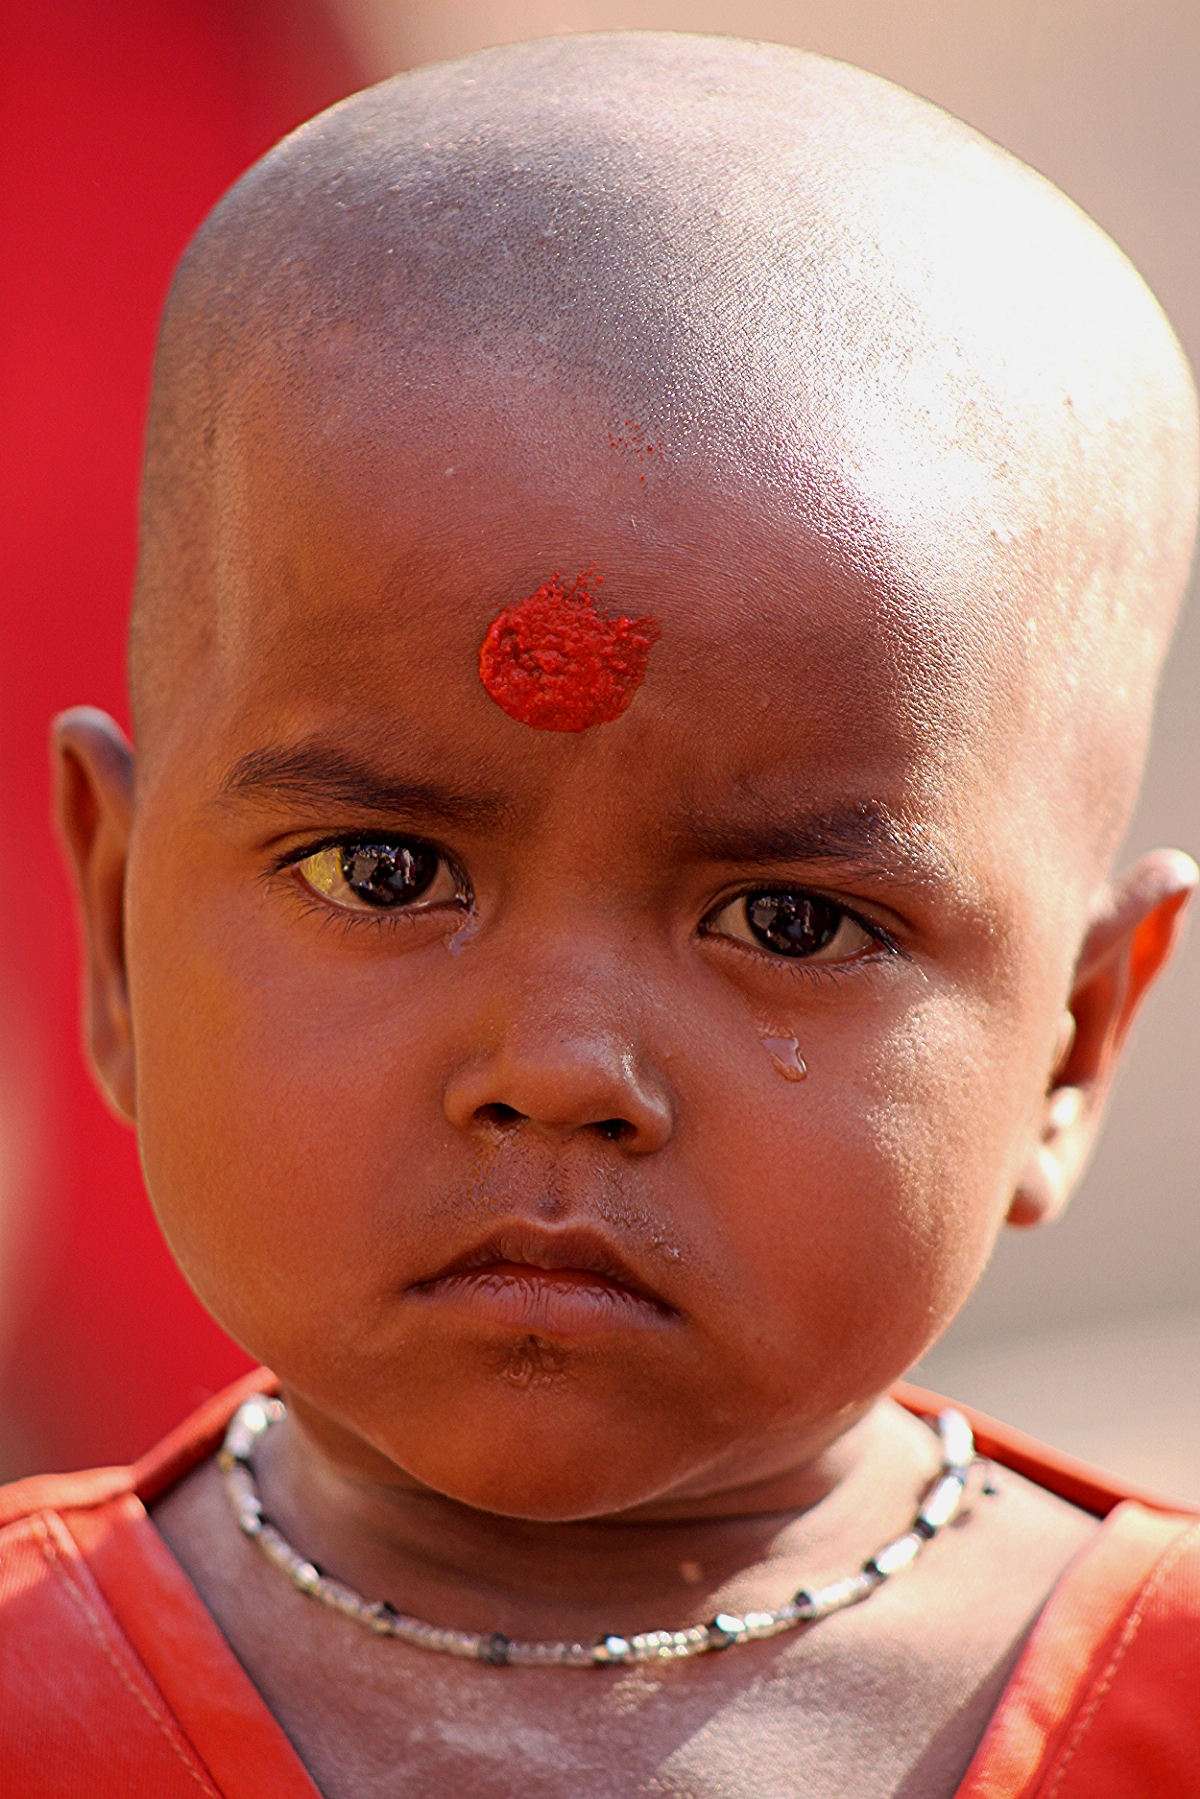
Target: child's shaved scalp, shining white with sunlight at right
x,y
800,276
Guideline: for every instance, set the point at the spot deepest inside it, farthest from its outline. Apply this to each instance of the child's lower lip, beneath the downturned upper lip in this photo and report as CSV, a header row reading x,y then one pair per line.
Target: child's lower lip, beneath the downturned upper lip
x,y
544,1302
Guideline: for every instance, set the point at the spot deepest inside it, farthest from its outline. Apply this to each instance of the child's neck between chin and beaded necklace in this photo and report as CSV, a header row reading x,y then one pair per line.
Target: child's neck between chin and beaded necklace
x,y
665,1566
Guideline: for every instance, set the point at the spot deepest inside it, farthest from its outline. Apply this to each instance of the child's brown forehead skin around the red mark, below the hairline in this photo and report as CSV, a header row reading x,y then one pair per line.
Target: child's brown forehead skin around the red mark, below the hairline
x,y
370,528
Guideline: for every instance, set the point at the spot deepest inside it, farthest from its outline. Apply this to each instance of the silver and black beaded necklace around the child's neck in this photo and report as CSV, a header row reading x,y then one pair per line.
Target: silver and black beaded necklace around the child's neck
x,y
940,1507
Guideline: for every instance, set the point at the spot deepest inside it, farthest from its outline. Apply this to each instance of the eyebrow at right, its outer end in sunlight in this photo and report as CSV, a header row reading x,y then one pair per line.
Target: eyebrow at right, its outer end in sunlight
x,y
861,834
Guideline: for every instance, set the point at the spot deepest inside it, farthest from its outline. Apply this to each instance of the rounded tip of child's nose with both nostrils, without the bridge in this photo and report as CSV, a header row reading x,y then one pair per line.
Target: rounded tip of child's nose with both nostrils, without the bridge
x,y
562,1086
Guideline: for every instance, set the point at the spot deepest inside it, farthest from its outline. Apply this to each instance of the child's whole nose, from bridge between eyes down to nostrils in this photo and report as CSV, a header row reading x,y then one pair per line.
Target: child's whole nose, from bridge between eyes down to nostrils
x,y
560,1048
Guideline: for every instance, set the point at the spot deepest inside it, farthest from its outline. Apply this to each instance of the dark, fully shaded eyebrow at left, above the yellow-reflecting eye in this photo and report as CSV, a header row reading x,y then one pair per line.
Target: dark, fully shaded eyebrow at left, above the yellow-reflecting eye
x,y
321,774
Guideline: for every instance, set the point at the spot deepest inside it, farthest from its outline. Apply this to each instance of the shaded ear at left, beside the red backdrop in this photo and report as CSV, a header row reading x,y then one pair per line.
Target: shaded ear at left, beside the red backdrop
x,y
94,801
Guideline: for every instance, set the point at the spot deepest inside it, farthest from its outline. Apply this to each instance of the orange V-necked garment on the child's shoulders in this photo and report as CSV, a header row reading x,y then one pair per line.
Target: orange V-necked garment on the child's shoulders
x,y
116,1681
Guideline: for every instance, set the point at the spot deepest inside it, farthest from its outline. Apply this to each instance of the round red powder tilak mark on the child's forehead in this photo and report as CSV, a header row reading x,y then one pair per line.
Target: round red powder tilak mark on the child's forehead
x,y
555,665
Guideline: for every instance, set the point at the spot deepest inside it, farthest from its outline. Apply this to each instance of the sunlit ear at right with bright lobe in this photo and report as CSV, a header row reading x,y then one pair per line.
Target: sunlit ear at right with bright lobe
x,y
1124,954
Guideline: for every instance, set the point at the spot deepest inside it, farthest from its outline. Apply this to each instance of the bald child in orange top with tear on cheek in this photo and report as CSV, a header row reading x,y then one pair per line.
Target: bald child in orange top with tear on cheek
x,y
656,564
